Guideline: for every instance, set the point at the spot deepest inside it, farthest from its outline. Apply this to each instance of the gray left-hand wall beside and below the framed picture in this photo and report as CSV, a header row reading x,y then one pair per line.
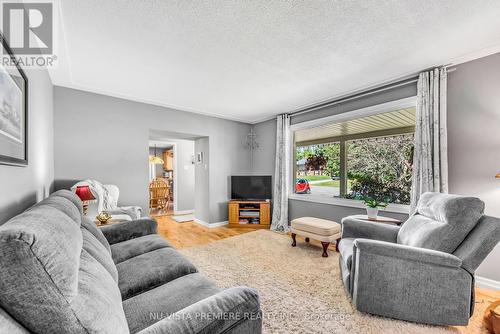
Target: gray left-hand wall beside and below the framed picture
x,y
21,187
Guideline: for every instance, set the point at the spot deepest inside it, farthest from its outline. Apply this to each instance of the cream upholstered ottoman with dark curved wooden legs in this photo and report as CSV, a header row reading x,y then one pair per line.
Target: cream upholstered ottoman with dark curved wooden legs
x,y
323,230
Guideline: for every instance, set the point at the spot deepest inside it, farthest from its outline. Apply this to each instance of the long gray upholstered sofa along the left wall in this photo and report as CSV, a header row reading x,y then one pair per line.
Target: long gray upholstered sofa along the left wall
x,y
59,273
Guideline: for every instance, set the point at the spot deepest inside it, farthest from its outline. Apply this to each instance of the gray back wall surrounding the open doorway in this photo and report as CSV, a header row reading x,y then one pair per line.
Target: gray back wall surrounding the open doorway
x,y
106,138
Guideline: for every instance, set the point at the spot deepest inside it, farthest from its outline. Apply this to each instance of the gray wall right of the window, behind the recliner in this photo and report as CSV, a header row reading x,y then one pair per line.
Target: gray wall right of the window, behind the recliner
x,y
474,139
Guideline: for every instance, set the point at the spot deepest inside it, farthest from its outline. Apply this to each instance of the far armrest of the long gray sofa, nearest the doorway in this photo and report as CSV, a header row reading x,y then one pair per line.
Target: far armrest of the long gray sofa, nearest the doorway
x,y
129,230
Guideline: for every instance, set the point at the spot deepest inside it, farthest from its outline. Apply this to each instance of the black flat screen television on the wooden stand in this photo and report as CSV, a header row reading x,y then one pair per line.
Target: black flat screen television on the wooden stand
x,y
251,187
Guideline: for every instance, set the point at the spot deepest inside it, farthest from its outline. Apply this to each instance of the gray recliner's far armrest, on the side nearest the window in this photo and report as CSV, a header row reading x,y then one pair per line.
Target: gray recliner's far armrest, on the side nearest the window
x,y
357,228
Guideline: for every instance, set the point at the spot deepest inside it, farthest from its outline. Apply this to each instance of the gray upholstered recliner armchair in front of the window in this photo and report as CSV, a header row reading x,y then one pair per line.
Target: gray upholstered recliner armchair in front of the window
x,y
422,271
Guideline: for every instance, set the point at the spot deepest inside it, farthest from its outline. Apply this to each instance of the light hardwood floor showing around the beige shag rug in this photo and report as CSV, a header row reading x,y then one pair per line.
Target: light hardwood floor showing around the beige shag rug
x,y
189,234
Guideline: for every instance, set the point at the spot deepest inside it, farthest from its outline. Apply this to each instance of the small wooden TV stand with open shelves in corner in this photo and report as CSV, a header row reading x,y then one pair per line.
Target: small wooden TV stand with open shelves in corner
x,y
240,211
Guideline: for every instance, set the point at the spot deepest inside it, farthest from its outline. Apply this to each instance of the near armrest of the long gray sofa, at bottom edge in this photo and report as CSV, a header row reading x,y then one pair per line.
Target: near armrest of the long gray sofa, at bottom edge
x,y
235,310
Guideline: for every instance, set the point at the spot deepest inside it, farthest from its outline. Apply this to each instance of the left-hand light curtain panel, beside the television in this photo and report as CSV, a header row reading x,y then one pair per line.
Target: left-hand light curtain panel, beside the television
x,y
281,175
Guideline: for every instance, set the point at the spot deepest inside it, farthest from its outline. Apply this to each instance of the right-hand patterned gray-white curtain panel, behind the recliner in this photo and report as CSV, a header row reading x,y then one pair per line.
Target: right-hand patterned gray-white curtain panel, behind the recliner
x,y
430,158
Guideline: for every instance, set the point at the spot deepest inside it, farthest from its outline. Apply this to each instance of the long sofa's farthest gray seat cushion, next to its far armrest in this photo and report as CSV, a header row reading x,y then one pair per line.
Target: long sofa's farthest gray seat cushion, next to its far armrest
x,y
128,249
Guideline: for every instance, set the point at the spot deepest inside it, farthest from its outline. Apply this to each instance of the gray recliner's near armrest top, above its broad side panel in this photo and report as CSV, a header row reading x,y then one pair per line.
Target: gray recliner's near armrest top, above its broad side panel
x,y
409,253
